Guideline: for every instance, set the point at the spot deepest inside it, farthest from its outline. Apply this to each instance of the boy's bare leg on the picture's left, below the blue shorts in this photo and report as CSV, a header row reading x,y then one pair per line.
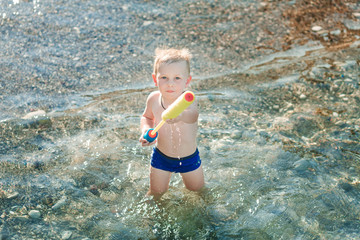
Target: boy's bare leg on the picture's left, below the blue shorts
x,y
159,182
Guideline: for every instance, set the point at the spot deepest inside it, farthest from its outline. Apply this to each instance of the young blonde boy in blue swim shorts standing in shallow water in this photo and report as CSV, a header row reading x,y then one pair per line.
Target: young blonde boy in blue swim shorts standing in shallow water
x,y
176,148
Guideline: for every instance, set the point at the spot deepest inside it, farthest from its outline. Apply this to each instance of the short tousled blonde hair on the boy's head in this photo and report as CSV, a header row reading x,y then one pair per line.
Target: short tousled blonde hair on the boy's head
x,y
171,55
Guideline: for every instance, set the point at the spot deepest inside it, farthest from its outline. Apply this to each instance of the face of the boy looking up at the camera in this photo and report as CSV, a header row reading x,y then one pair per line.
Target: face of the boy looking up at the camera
x,y
172,79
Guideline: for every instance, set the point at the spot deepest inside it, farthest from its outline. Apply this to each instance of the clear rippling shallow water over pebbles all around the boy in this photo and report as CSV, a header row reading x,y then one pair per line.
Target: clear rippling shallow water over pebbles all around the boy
x,y
279,127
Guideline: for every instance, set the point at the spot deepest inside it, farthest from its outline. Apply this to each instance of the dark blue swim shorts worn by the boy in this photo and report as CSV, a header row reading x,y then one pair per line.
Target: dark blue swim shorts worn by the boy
x,y
176,165
